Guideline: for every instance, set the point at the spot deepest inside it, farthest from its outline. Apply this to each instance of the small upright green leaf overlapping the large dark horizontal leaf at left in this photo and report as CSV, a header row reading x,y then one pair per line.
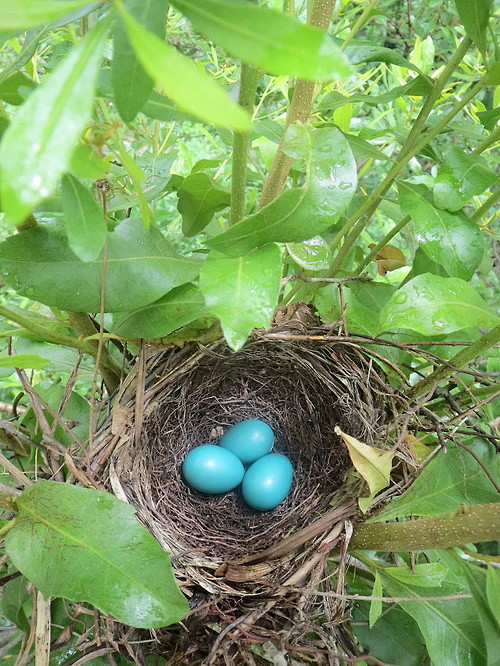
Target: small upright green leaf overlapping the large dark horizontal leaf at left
x,y
84,220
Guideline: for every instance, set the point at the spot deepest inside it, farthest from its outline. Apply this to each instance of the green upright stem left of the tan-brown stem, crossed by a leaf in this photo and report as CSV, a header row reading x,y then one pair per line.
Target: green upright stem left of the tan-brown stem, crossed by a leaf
x,y
241,142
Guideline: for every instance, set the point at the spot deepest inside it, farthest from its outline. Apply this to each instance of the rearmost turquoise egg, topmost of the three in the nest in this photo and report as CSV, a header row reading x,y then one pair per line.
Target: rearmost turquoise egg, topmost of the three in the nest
x,y
249,440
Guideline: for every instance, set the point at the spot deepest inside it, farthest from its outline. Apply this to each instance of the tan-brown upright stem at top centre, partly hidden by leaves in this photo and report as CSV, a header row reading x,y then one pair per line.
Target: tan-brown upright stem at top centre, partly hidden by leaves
x,y
299,110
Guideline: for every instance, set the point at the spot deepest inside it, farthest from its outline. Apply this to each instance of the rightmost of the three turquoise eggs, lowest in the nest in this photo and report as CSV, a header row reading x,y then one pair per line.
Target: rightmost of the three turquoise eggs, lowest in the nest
x,y
267,482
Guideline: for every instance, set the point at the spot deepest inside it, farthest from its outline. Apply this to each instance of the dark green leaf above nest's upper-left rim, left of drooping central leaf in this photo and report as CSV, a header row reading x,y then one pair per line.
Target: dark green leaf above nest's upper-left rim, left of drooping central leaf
x,y
157,320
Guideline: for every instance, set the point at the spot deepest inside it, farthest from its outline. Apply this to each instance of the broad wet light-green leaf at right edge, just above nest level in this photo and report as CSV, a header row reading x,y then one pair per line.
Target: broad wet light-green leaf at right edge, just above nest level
x,y
433,305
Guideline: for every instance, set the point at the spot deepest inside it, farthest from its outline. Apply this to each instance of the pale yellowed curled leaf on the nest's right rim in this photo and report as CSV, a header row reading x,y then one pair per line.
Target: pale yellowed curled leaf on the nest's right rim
x,y
372,463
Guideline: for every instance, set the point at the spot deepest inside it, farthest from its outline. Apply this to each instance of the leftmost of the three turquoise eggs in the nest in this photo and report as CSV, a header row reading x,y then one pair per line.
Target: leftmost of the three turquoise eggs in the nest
x,y
211,469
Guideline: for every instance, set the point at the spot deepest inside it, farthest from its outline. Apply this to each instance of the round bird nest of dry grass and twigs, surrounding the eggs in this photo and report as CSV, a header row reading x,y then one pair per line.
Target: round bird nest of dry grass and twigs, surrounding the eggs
x,y
250,577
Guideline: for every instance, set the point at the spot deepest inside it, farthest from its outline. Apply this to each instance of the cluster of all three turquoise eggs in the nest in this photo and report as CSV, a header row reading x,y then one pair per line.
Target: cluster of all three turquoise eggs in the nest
x,y
218,469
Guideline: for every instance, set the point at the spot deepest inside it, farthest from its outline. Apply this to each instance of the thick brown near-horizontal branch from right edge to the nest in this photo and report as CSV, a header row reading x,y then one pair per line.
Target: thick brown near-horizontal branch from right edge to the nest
x,y
470,524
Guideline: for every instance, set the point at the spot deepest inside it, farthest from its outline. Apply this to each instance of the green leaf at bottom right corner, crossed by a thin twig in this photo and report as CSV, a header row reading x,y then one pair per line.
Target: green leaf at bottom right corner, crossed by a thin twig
x,y
451,628
